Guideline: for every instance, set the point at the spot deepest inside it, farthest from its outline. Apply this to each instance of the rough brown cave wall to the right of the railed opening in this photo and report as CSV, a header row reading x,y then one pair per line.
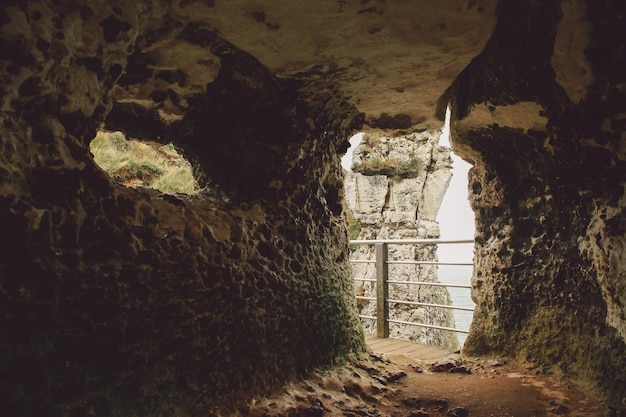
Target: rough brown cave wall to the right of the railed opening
x,y
544,127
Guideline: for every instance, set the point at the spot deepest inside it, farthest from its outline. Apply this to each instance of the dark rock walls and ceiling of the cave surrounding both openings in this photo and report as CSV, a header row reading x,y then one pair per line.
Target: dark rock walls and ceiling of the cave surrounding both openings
x,y
122,301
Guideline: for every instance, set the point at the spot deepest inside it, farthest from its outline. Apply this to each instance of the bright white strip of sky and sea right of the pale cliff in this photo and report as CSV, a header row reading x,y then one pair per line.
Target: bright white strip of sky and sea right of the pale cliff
x,y
456,222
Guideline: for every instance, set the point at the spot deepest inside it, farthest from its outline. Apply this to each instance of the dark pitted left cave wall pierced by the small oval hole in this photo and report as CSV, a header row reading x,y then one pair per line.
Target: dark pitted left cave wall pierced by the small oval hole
x,y
118,301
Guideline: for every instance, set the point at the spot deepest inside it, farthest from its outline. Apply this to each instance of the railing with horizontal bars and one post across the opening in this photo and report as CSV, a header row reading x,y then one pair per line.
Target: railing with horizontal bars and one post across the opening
x,y
382,282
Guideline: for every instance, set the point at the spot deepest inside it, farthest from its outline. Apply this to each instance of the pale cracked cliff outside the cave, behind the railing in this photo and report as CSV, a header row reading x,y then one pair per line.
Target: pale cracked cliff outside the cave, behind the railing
x,y
396,193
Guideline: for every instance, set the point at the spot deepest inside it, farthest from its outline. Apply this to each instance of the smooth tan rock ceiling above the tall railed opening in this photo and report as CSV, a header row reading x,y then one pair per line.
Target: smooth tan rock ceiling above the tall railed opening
x,y
389,58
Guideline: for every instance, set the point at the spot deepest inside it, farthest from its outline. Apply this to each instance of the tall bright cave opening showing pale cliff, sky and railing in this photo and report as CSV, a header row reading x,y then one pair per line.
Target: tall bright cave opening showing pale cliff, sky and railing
x,y
409,194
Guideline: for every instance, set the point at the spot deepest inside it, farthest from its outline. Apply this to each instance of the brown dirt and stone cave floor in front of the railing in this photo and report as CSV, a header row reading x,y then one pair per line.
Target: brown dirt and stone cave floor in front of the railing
x,y
400,386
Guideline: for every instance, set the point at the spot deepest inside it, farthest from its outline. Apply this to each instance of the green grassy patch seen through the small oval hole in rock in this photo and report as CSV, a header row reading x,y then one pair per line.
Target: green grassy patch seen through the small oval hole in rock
x,y
134,163
